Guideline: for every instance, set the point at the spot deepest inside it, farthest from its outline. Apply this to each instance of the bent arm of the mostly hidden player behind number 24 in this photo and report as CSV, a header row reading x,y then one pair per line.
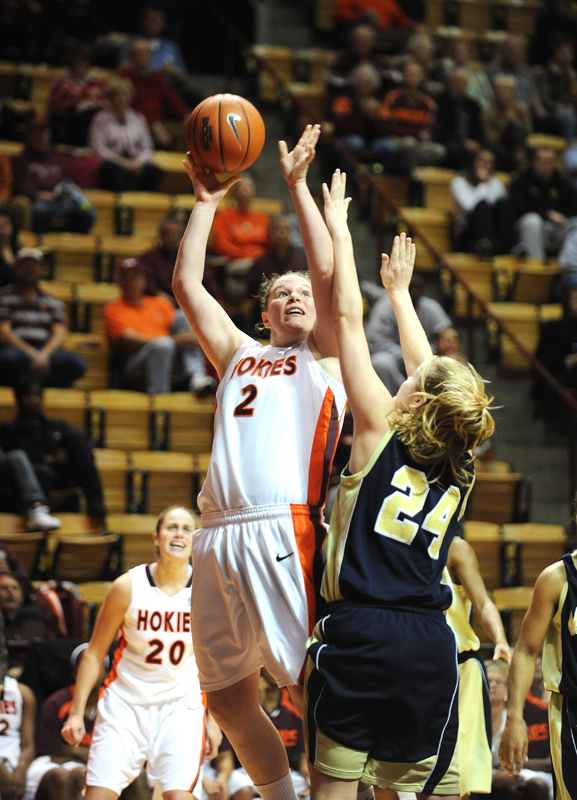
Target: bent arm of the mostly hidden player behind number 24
x,y
462,562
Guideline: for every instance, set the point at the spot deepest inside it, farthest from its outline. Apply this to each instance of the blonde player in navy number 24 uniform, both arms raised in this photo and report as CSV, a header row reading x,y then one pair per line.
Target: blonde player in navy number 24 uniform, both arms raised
x,y
381,682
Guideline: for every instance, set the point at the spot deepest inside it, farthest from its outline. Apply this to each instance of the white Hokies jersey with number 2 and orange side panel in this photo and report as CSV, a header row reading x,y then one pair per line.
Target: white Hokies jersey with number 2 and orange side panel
x,y
276,427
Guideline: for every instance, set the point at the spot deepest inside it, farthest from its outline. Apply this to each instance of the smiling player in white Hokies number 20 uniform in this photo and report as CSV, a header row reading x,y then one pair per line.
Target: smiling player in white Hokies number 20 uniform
x,y
151,709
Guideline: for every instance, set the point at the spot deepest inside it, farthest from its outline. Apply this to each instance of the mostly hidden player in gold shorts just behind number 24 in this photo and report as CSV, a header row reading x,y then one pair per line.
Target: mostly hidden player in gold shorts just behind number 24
x,y
470,595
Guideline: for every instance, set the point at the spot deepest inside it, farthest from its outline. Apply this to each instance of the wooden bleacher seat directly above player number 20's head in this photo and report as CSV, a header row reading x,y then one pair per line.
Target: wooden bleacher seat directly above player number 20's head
x,y
160,479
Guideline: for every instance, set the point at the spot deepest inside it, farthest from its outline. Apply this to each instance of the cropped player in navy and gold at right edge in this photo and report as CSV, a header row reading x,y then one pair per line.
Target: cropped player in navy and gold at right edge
x,y
549,619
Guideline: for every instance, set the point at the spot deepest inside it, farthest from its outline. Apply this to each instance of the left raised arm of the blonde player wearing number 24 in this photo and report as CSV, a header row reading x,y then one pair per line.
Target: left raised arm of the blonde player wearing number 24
x,y
369,399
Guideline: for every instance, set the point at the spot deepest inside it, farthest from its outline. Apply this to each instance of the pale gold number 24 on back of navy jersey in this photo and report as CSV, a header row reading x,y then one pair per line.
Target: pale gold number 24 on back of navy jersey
x,y
410,501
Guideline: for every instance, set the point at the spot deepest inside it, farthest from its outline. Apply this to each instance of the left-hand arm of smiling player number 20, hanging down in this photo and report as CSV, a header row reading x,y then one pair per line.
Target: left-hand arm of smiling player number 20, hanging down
x,y
106,627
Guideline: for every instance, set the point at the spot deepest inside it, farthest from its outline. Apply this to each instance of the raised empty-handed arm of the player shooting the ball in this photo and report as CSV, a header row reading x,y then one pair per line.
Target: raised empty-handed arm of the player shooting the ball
x,y
316,237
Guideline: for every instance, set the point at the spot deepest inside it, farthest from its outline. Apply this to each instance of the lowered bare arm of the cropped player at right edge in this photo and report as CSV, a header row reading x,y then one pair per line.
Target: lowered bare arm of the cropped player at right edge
x,y
513,748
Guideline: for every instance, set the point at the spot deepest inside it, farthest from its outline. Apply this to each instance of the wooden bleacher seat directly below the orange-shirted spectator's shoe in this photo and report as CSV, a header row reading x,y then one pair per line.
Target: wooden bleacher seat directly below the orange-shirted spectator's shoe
x,y
182,422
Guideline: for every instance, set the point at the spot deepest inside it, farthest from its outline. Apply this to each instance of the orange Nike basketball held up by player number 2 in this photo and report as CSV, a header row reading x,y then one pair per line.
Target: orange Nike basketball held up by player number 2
x,y
225,133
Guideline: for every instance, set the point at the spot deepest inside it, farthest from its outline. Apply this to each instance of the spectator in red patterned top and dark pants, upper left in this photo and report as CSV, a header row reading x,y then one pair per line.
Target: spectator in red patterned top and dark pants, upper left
x,y
74,99
